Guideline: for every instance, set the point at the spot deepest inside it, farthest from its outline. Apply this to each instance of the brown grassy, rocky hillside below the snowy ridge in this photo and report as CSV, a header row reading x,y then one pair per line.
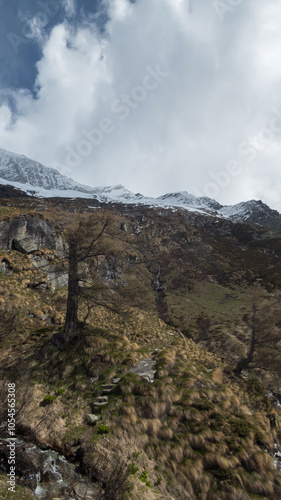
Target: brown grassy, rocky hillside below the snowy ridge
x,y
188,428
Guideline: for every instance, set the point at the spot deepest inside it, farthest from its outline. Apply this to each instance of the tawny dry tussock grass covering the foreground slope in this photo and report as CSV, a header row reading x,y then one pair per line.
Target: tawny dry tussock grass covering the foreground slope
x,y
201,435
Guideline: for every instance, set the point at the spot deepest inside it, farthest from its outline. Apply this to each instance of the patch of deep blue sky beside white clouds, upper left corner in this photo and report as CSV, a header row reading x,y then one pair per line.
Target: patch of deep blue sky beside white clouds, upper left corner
x,y
18,54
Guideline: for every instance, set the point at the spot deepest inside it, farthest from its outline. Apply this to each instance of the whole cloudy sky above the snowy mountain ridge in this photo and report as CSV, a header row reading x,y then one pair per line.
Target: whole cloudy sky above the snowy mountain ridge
x,y
157,95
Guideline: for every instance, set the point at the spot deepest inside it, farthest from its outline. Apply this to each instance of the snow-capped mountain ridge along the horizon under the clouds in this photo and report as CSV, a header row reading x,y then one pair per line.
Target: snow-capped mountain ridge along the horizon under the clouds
x,y
27,175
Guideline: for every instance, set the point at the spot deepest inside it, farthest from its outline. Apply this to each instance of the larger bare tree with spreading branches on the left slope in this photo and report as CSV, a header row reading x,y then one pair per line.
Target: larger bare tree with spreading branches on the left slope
x,y
99,272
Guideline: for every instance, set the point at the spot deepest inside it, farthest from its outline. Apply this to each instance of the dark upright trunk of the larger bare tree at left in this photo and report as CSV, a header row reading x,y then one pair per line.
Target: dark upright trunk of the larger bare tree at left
x,y
71,320
